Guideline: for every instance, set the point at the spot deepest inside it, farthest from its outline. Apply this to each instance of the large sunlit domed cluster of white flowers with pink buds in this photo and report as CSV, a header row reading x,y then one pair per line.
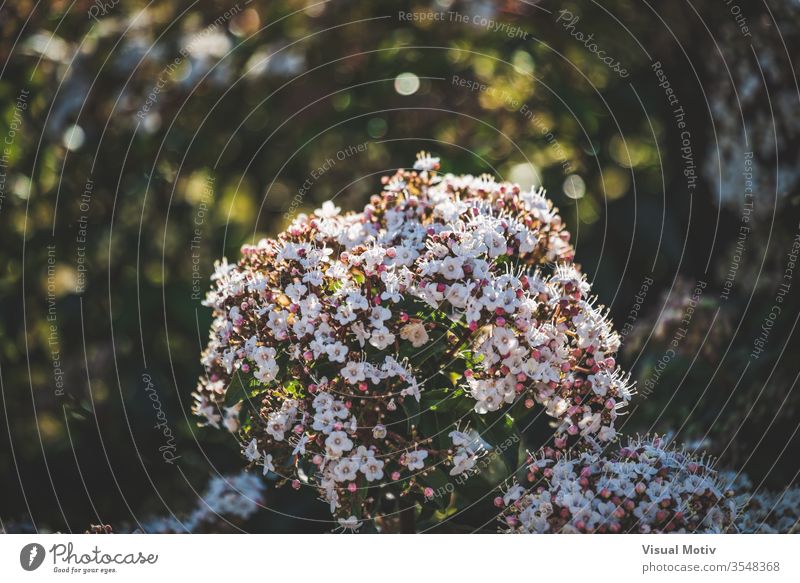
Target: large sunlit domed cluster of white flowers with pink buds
x,y
377,355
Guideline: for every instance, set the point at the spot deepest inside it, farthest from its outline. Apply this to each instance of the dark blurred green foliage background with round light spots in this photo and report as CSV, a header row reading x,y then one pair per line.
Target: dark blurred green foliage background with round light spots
x,y
142,141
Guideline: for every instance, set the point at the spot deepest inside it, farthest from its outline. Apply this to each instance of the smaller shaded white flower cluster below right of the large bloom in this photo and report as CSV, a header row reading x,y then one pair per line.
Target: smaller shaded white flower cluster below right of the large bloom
x,y
645,487
